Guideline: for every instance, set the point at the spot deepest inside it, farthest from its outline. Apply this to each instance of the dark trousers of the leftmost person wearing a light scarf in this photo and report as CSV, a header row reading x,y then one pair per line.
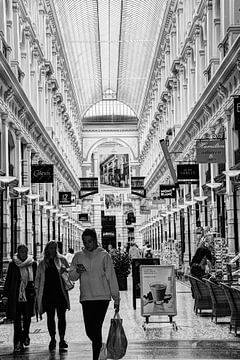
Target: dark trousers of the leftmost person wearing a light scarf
x,y
22,322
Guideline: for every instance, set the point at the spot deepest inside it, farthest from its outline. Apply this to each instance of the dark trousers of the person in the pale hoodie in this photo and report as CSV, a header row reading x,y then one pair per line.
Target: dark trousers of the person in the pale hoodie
x,y
94,313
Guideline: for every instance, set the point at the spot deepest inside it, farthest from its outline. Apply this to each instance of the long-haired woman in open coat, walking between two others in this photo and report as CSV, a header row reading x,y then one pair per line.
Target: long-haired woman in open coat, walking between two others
x,y
51,294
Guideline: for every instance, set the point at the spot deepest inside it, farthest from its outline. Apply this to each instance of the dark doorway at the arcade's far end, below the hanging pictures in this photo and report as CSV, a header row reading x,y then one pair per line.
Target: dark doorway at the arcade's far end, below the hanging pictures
x,y
108,231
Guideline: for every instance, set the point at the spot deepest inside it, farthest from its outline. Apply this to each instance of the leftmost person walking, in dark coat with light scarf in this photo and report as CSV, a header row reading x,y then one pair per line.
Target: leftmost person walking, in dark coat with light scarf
x,y
19,295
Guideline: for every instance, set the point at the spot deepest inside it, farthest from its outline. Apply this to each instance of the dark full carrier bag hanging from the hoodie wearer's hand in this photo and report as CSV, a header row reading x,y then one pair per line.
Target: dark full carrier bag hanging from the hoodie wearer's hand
x,y
116,341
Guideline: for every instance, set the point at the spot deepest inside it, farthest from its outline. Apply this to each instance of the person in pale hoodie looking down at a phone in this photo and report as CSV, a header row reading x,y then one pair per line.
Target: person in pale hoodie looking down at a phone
x,y
98,284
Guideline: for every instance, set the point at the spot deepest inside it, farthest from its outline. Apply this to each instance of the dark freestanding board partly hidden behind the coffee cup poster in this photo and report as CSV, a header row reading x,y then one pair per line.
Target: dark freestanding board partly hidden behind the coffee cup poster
x,y
136,274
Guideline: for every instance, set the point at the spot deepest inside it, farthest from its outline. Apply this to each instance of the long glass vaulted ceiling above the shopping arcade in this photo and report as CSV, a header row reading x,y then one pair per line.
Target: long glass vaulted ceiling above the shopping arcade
x,y
110,46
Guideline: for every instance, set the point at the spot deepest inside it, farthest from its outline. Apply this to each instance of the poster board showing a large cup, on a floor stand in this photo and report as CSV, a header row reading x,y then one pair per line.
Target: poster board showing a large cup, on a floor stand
x,y
158,290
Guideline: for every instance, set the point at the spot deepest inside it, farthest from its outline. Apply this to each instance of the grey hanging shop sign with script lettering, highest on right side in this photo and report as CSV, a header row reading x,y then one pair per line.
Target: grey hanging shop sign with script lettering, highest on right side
x,y
210,151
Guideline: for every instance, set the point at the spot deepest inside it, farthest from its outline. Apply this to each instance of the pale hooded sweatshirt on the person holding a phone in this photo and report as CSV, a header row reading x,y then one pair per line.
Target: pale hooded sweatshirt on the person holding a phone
x,y
99,281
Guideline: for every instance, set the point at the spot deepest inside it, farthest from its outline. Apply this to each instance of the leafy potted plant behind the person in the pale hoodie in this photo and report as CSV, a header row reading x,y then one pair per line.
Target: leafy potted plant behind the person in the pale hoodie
x,y
122,266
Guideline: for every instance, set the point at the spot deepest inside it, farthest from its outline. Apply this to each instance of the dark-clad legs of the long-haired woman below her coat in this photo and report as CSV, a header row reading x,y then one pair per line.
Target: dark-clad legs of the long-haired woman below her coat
x,y
61,314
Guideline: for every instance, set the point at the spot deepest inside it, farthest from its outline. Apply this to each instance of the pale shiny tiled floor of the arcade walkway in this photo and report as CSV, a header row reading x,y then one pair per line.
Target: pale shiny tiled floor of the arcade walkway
x,y
193,337
